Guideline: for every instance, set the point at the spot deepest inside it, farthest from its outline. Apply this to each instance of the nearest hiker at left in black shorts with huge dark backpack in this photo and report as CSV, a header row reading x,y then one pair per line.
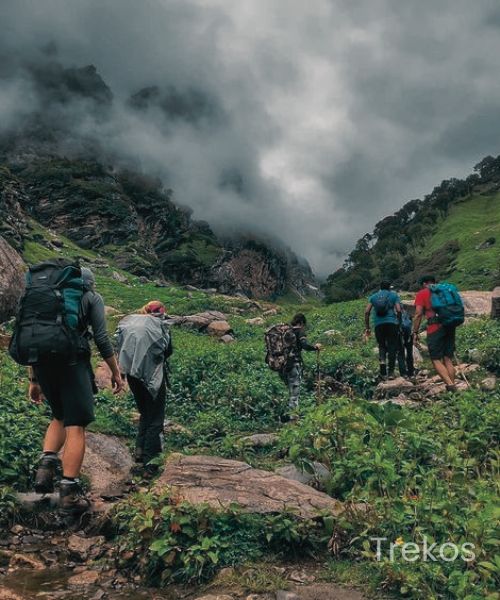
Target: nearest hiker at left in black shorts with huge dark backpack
x,y
51,337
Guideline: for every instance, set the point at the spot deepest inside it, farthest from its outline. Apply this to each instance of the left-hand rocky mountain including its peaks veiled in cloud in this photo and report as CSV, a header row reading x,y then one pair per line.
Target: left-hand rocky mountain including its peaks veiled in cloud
x,y
56,169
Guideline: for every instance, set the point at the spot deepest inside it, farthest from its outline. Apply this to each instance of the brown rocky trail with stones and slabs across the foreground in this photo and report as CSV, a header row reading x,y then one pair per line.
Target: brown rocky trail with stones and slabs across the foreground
x,y
41,557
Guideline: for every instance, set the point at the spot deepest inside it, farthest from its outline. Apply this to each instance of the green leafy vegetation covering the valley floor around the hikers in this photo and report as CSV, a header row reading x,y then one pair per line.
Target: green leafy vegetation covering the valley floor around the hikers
x,y
428,471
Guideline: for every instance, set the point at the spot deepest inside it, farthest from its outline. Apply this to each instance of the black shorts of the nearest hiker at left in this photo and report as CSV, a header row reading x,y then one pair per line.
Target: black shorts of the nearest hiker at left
x,y
69,390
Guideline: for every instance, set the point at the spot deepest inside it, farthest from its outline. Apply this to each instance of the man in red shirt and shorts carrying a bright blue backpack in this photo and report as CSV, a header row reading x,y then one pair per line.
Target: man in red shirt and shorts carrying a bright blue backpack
x,y
443,308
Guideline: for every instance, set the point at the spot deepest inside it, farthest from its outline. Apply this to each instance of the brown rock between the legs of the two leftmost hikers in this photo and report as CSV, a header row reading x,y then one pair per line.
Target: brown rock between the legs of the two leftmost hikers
x,y
107,464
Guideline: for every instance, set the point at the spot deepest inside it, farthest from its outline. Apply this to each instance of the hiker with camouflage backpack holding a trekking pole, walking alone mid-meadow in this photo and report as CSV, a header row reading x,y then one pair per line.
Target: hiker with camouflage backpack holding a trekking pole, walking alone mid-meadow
x,y
284,345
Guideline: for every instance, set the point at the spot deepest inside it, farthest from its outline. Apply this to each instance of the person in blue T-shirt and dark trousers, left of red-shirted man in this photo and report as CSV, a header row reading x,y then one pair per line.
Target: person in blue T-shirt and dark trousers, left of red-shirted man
x,y
386,307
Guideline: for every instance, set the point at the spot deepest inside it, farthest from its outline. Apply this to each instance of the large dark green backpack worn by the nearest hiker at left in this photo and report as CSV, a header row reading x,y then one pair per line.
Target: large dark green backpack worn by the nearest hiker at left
x,y
48,319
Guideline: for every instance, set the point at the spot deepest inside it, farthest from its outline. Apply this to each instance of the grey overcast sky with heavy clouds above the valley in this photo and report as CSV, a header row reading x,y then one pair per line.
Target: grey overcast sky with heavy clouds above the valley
x,y
319,117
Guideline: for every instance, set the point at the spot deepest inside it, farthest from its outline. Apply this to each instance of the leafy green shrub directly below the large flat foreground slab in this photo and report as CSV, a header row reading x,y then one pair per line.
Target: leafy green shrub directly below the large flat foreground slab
x,y
180,542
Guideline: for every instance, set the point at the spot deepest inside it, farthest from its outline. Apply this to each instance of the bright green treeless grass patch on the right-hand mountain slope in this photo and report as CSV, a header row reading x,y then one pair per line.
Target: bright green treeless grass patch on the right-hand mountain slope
x,y
471,223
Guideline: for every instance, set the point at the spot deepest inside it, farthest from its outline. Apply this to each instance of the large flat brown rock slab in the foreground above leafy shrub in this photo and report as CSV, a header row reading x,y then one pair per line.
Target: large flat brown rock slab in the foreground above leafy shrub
x,y
221,482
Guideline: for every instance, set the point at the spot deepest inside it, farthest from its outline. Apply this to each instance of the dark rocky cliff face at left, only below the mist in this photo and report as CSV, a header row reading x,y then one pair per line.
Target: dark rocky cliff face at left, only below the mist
x,y
132,220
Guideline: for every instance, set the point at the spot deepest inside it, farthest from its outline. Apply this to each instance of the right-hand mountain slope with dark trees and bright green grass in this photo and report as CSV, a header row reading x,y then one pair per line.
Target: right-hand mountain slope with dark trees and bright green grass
x,y
454,233
